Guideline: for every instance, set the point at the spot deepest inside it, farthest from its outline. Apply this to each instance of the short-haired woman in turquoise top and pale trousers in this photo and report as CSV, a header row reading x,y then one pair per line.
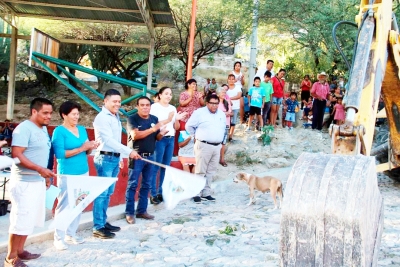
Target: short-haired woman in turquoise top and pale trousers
x,y
71,147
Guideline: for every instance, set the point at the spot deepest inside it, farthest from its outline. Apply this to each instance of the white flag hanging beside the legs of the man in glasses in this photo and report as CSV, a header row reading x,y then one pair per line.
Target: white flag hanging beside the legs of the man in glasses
x,y
179,185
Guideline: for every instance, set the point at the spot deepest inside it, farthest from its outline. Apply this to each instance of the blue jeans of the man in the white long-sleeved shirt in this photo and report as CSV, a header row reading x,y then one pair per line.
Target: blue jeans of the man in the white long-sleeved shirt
x,y
106,166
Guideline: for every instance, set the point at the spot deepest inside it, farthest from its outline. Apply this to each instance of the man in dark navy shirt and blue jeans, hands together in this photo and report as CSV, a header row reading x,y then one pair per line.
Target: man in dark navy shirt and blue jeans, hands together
x,y
143,131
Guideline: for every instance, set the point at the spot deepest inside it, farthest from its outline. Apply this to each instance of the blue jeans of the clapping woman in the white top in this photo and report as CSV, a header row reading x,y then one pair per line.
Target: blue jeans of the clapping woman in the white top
x,y
164,150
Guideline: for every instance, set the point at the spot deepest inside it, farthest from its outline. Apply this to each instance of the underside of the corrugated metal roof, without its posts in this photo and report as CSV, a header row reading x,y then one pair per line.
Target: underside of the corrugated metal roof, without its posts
x,y
114,11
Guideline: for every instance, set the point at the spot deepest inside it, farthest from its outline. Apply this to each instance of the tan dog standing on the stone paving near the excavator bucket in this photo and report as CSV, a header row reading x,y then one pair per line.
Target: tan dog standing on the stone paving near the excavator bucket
x,y
262,184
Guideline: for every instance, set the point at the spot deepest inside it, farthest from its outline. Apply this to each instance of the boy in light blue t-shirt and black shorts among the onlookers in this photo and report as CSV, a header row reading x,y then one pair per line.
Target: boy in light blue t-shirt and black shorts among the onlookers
x,y
256,103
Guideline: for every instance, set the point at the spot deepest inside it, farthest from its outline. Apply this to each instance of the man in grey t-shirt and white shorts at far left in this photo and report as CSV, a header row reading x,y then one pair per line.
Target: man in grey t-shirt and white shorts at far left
x,y
29,179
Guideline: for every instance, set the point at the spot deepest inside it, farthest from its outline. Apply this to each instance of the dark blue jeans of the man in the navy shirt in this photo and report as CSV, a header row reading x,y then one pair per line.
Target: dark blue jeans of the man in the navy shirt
x,y
146,169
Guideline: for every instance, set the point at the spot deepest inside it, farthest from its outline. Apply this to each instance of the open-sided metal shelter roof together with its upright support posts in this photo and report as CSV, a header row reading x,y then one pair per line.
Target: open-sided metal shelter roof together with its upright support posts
x,y
149,13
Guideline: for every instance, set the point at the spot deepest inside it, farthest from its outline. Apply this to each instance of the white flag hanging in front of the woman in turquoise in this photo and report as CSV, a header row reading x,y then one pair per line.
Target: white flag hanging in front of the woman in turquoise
x,y
82,190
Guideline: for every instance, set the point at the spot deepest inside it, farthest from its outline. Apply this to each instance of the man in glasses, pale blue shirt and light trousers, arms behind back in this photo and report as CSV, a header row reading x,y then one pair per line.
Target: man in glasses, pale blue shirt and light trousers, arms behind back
x,y
207,126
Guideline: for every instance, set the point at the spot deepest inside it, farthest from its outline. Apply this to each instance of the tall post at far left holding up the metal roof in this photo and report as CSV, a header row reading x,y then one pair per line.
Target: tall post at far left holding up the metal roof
x,y
11,73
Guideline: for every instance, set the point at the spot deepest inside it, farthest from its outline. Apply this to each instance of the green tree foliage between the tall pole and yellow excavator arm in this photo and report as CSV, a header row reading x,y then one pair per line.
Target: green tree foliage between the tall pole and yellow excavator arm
x,y
310,23
